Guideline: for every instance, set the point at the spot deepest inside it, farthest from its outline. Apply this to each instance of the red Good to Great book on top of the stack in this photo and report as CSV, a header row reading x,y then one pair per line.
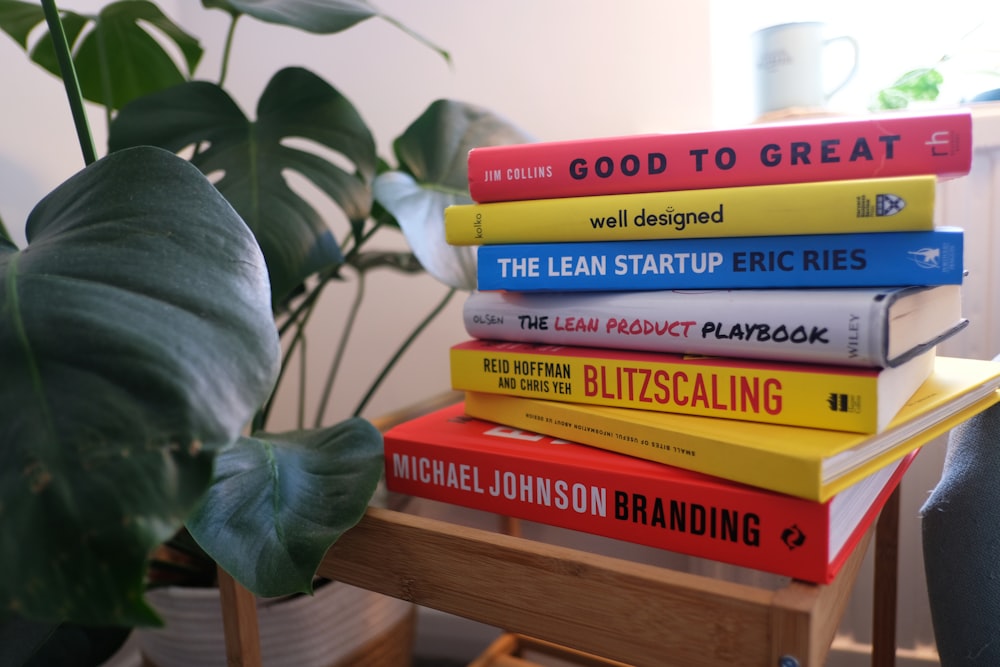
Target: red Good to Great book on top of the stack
x,y
825,149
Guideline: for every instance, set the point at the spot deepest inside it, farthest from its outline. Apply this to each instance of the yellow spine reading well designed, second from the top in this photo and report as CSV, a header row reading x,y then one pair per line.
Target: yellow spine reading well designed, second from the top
x,y
828,207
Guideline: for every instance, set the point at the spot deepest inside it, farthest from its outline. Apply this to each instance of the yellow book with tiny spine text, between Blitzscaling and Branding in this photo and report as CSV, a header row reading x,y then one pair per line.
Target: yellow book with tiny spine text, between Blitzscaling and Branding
x,y
815,464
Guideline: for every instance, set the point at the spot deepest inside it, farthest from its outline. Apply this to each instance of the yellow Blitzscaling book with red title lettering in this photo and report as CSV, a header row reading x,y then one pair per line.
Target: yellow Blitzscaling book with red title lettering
x,y
841,398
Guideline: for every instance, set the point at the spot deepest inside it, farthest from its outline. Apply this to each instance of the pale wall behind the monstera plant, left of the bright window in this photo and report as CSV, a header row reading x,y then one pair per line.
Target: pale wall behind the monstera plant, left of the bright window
x,y
558,69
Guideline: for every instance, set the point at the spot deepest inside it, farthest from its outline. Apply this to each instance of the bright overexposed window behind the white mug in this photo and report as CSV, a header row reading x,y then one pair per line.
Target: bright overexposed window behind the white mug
x,y
894,37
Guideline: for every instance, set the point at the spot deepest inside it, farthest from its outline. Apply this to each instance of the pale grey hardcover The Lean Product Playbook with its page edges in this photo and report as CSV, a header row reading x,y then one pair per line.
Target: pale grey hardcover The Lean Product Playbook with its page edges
x,y
856,326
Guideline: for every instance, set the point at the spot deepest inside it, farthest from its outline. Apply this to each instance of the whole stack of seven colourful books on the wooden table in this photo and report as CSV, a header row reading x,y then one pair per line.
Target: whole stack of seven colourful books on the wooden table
x,y
717,343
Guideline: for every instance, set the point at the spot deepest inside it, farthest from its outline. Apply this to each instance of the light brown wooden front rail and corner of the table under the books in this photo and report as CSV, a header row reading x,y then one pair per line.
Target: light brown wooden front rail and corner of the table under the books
x,y
635,613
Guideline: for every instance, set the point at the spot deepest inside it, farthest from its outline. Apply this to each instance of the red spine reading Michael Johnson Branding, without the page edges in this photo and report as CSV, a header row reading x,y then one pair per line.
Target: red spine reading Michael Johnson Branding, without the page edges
x,y
733,524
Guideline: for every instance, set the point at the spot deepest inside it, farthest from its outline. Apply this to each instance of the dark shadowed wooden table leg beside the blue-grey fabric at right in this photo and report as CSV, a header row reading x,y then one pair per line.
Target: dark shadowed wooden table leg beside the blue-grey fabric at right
x,y
885,584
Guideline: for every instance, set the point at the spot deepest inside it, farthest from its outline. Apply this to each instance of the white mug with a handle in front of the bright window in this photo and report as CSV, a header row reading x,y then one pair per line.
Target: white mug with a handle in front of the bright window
x,y
789,60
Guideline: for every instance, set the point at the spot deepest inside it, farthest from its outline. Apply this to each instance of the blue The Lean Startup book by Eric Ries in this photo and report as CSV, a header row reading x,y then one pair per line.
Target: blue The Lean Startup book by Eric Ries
x,y
877,259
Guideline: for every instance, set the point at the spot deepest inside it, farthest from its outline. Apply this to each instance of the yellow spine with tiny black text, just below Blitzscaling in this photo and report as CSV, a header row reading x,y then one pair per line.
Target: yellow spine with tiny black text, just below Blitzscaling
x,y
779,471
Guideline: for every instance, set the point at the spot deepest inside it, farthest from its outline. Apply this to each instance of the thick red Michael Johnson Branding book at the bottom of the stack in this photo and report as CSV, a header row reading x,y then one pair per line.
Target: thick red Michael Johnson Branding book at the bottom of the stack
x,y
449,457
